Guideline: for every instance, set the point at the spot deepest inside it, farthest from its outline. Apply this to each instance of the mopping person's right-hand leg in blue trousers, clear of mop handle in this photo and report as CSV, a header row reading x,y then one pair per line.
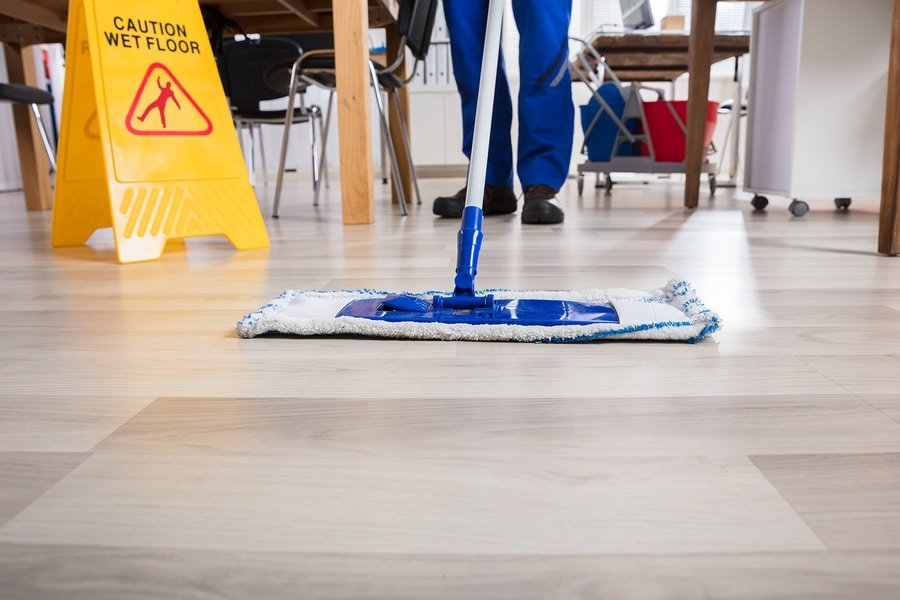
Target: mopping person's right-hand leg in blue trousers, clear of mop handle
x,y
546,110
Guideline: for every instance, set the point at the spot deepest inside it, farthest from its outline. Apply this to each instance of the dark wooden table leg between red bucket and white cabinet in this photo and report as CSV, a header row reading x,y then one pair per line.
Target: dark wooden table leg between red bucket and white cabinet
x,y
703,23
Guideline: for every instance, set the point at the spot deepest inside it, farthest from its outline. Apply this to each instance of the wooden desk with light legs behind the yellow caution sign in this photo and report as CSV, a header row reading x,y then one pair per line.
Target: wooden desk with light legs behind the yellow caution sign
x,y
25,22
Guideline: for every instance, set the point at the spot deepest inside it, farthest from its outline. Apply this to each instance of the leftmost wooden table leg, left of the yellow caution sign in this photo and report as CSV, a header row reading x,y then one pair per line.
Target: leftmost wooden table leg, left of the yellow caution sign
x,y
32,156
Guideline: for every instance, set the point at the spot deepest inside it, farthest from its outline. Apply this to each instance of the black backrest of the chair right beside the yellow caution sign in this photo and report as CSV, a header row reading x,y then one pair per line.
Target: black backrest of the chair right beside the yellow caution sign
x,y
246,67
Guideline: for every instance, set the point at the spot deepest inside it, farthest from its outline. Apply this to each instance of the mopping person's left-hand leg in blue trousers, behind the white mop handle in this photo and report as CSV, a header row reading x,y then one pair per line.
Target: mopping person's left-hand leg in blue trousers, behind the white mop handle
x,y
466,23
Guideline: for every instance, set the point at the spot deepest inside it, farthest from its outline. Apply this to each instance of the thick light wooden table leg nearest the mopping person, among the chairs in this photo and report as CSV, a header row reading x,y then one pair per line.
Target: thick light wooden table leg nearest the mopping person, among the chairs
x,y
351,18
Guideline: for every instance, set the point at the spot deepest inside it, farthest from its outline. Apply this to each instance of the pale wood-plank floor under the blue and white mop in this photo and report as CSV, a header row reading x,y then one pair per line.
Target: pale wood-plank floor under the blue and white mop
x,y
147,452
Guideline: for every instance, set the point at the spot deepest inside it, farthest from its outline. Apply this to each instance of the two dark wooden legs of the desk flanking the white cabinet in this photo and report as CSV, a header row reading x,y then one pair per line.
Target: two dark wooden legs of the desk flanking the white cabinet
x,y
703,19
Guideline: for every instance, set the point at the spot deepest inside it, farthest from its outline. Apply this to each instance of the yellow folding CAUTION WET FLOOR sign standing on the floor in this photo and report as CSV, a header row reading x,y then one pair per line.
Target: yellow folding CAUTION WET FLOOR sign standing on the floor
x,y
148,146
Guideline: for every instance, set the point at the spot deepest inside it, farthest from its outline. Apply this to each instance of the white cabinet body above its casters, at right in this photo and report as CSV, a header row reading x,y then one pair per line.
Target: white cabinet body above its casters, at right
x,y
817,97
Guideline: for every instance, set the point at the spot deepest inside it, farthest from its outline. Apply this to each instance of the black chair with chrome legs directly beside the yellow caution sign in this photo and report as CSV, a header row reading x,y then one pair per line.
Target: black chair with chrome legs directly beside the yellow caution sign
x,y
252,73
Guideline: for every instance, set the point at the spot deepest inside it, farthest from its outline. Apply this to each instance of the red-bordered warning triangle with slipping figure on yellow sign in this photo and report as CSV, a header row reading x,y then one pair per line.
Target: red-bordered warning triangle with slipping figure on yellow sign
x,y
162,106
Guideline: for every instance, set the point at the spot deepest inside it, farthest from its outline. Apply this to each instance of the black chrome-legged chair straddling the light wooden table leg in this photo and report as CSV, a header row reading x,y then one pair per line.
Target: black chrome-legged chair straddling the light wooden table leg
x,y
415,22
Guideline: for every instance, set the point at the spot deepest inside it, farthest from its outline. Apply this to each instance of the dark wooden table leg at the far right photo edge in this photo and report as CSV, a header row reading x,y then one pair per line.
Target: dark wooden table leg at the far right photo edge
x,y
889,224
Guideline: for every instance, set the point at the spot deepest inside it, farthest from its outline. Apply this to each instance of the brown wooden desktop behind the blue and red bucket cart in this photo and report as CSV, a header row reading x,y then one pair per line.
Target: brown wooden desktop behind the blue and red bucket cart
x,y
659,56
